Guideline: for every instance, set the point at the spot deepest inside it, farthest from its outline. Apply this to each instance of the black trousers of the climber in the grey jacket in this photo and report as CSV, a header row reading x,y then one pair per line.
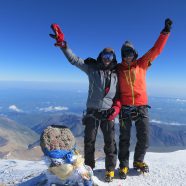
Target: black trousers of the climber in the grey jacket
x,y
110,149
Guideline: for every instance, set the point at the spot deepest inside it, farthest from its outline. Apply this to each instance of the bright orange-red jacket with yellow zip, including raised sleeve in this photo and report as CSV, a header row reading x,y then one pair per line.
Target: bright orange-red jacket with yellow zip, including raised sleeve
x,y
132,81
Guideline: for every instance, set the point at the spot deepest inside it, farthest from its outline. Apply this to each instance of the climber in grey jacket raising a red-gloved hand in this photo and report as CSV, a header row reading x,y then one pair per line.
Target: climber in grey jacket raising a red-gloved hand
x,y
103,104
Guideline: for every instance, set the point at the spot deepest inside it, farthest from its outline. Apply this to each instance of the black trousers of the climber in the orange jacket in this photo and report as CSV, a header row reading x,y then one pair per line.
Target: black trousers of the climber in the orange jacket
x,y
142,134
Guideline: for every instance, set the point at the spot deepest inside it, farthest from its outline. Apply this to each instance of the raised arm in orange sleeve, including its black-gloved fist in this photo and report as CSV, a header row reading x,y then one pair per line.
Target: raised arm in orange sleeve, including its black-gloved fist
x,y
146,60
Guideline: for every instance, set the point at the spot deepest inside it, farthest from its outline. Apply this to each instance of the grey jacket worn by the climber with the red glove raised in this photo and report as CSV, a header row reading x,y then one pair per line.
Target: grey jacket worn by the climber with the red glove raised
x,y
96,93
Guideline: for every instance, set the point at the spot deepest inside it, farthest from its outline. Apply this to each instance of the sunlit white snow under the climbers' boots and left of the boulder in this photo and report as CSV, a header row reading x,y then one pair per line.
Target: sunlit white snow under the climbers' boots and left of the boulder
x,y
165,169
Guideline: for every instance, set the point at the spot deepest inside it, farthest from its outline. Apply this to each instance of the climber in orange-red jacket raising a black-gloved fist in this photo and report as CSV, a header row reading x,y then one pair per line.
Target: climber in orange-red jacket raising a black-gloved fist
x,y
133,97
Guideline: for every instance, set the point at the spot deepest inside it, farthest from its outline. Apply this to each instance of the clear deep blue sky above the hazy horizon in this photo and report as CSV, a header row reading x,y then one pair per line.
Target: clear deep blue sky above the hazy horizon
x,y
27,52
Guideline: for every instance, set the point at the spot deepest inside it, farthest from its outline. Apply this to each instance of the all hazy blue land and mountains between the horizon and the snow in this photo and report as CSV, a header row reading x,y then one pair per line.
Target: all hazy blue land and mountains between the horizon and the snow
x,y
25,112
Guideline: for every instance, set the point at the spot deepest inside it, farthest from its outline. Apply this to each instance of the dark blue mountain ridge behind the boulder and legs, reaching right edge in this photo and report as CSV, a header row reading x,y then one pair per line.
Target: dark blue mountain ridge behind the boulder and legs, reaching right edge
x,y
161,135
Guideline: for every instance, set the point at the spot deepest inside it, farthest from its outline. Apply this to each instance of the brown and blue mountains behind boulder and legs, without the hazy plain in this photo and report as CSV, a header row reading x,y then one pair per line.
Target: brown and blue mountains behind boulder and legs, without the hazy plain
x,y
18,140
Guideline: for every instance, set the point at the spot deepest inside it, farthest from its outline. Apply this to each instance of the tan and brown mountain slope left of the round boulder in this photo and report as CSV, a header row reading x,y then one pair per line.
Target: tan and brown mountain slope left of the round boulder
x,y
14,138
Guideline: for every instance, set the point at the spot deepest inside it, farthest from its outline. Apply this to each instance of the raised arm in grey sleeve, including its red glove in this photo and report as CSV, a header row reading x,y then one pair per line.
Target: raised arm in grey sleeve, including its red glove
x,y
60,42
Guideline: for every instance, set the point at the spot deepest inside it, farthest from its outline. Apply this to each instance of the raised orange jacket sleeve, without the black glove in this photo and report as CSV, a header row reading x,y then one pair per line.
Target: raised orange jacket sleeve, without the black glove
x,y
146,60
